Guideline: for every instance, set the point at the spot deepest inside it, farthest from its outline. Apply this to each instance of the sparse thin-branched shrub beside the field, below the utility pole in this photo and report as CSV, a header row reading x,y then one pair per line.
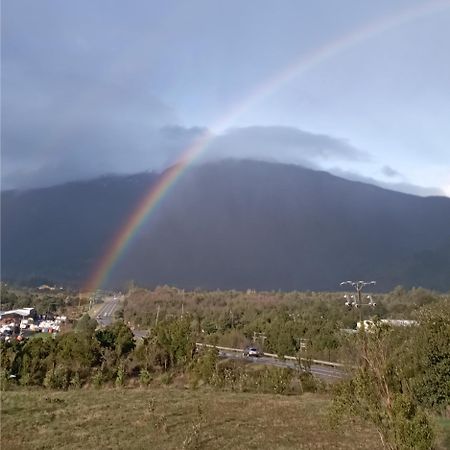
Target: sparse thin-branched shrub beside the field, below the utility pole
x,y
380,395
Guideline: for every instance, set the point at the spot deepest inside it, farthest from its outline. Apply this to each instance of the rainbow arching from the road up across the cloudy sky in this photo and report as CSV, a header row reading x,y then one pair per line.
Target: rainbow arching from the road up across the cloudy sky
x,y
153,197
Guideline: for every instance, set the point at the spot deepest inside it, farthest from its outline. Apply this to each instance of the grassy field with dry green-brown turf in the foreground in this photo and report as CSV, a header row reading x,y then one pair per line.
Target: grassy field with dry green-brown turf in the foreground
x,y
172,418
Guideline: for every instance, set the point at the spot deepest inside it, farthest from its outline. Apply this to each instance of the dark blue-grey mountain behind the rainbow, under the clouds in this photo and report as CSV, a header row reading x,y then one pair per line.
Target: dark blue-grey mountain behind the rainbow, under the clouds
x,y
232,224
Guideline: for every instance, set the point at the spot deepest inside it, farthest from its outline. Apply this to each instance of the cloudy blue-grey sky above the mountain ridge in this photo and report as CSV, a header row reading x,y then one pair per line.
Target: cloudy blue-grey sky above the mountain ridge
x,y
359,88
